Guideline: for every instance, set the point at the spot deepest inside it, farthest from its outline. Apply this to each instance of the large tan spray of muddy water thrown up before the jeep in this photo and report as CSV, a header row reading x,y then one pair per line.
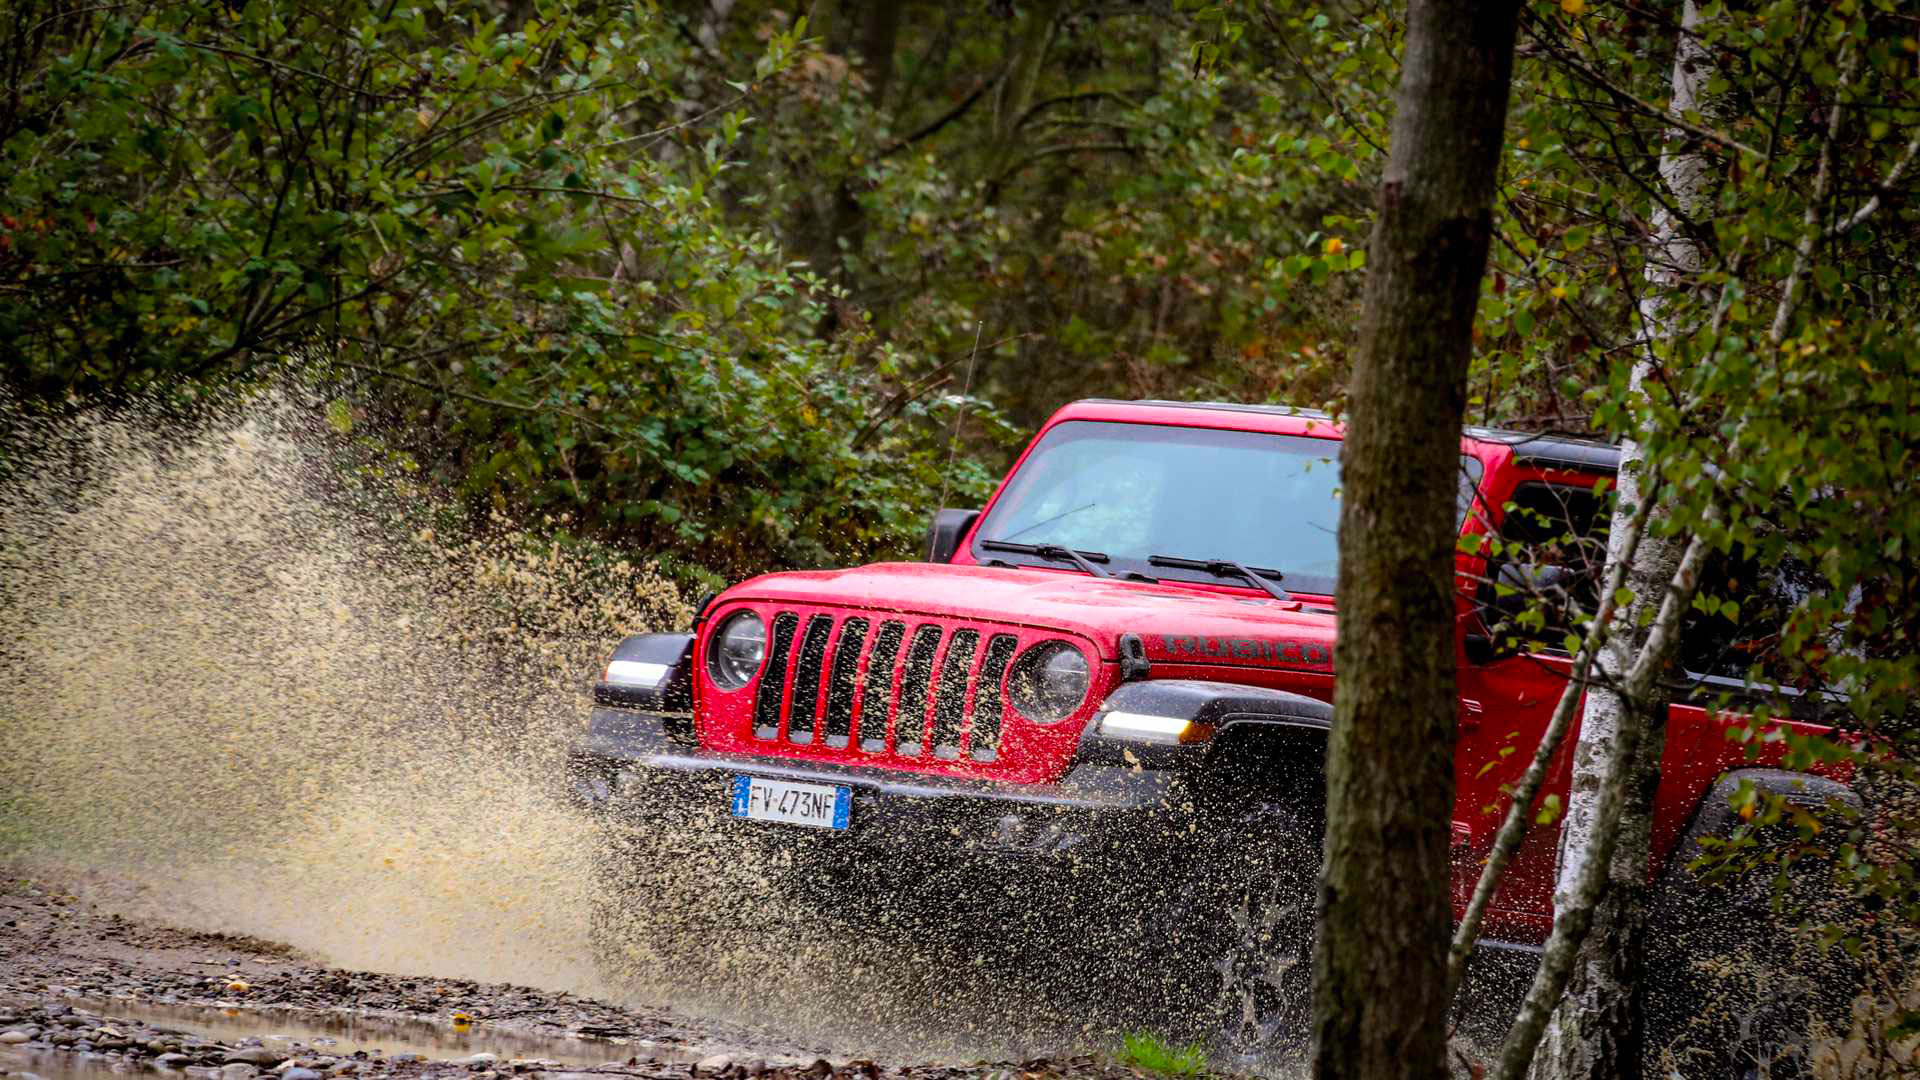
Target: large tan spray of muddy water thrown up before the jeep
x,y
245,677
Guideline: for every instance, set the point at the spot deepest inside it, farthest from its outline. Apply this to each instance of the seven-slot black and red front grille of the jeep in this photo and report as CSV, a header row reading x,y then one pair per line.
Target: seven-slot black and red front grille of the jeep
x,y
886,683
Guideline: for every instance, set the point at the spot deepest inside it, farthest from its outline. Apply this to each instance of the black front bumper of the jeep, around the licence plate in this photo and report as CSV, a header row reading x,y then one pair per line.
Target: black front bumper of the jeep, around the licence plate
x,y
631,764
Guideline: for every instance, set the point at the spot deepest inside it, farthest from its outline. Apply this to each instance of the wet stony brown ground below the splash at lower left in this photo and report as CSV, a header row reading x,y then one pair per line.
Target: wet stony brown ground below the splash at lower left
x,y
85,993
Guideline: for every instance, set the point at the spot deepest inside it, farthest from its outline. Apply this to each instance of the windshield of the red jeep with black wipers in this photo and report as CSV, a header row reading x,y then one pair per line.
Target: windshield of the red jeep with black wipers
x,y
1140,491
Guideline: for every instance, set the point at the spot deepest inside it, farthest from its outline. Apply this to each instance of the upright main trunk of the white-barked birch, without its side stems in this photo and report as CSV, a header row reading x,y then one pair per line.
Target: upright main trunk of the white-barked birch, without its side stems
x,y
1596,1031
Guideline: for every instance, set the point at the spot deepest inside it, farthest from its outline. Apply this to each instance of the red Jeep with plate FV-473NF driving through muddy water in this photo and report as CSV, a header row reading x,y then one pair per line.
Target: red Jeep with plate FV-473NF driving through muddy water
x,y
1120,670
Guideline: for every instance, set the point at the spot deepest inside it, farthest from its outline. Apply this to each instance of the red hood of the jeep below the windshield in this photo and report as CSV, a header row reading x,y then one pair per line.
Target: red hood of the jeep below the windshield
x,y
1178,626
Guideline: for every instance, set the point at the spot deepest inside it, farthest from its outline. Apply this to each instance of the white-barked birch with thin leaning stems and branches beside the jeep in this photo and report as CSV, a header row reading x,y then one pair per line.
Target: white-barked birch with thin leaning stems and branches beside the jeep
x,y
1583,998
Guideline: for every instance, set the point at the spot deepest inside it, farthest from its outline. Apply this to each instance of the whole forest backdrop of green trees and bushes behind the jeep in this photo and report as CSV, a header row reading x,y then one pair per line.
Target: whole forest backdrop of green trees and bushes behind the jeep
x,y
740,287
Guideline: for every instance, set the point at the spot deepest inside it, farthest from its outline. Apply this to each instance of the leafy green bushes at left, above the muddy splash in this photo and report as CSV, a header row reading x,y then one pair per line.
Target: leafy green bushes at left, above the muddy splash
x,y
496,222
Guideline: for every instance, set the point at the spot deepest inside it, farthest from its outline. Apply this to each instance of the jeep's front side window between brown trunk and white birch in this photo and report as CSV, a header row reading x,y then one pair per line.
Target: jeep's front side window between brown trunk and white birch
x,y
1547,568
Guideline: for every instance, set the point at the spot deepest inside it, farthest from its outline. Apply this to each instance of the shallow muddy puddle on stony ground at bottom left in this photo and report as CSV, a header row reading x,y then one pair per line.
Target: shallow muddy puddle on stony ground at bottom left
x,y
306,1035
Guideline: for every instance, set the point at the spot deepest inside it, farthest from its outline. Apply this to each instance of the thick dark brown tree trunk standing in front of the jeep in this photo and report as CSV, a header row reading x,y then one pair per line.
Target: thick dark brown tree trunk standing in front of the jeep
x,y
1380,964
